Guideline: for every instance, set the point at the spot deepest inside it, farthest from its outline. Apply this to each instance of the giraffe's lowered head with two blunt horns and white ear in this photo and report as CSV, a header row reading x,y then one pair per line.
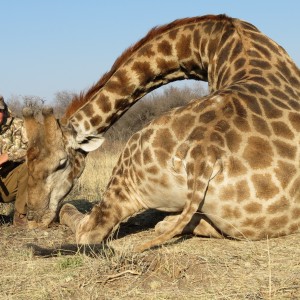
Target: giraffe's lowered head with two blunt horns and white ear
x,y
55,160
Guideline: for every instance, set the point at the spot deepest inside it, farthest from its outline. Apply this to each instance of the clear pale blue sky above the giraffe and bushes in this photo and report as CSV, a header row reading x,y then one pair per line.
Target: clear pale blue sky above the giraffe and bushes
x,y
66,45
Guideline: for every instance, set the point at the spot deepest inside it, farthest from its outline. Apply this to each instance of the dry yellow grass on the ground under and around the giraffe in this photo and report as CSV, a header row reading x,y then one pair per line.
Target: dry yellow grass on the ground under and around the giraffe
x,y
186,268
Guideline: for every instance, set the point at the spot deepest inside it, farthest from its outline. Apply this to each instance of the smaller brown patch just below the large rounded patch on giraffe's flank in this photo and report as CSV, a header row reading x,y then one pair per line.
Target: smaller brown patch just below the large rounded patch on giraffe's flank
x,y
264,186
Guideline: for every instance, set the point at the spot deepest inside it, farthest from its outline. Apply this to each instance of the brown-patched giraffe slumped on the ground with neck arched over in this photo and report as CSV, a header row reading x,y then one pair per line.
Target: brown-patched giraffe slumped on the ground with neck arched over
x,y
228,164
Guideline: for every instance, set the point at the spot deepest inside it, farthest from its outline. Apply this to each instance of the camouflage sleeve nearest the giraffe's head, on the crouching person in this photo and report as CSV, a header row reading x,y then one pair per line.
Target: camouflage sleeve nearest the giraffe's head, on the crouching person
x,y
18,147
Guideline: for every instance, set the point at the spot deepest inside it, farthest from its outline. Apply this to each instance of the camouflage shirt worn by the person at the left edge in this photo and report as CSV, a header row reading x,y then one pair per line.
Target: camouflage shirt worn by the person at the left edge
x,y
13,139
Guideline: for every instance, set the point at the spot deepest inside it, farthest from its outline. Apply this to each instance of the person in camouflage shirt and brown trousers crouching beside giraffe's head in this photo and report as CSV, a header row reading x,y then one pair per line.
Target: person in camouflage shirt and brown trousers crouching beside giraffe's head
x,y
13,167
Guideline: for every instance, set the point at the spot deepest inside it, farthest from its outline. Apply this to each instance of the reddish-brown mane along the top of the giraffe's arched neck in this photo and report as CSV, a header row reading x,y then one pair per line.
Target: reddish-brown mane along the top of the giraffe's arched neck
x,y
84,97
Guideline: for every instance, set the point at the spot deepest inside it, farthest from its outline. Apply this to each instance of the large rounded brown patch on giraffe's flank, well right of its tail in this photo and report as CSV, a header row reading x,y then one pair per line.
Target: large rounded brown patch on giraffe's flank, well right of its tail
x,y
258,153
